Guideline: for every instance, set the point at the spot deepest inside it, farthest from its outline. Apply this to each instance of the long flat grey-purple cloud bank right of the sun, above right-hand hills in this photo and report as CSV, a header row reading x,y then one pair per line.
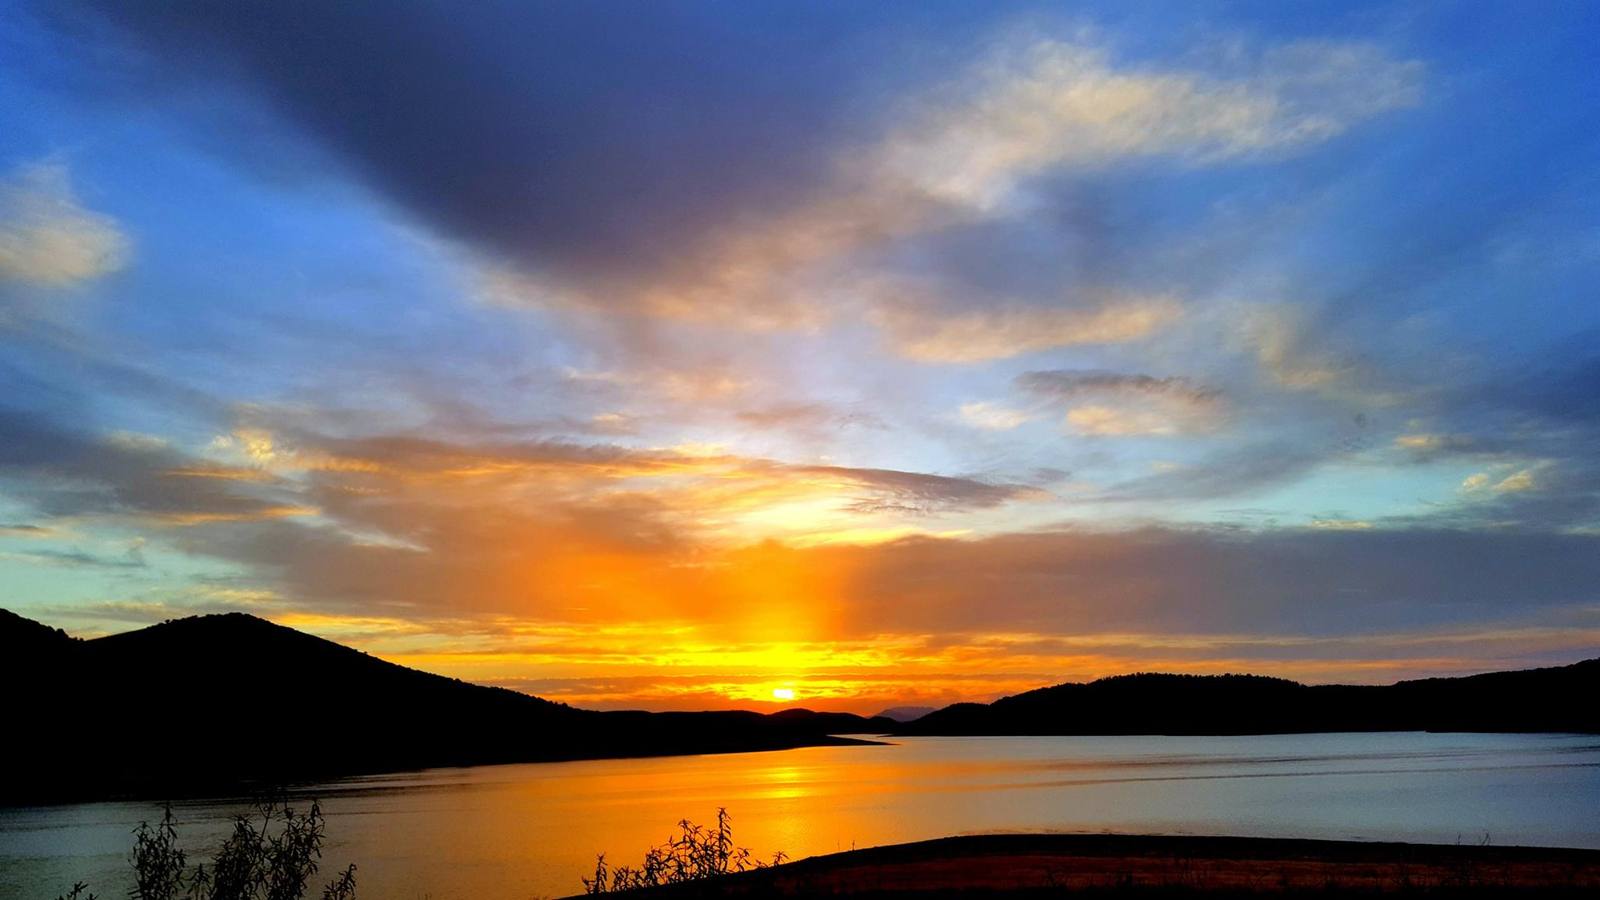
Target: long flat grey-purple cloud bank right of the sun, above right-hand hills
x,y
1215,582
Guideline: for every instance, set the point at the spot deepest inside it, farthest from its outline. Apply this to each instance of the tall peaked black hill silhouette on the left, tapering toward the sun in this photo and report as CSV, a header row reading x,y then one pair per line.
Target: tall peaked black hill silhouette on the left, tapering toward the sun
x,y
218,702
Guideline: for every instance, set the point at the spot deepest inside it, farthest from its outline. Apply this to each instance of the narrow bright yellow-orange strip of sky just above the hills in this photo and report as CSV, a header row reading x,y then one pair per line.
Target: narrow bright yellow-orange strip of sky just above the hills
x,y
697,667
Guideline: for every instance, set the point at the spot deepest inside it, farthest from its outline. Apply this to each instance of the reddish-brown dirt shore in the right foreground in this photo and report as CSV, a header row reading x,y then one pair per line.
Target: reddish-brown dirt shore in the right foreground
x,y
1050,866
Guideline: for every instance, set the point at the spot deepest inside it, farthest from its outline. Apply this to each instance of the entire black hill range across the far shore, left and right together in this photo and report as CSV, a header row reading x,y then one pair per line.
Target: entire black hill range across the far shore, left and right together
x,y
225,702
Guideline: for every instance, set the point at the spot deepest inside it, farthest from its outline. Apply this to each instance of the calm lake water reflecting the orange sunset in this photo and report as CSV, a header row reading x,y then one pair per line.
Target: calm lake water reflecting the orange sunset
x,y
518,832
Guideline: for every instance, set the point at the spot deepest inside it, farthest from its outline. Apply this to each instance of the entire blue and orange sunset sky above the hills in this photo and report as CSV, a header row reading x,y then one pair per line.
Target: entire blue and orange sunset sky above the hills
x,y
676,355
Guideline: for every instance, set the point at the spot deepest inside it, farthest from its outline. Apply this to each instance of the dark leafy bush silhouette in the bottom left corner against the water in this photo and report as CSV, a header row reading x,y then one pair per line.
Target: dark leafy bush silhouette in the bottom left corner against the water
x,y
271,856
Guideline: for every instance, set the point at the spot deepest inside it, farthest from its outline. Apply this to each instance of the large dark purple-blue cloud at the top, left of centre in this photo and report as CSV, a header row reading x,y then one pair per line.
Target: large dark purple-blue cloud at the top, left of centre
x,y
574,140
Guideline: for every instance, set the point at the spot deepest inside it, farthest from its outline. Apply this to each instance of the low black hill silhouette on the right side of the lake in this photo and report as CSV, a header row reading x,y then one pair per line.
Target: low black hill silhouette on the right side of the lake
x,y
1532,701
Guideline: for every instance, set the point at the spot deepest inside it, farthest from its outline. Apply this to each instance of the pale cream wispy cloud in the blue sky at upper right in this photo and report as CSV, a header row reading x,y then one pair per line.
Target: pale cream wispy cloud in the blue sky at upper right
x,y
1068,105
